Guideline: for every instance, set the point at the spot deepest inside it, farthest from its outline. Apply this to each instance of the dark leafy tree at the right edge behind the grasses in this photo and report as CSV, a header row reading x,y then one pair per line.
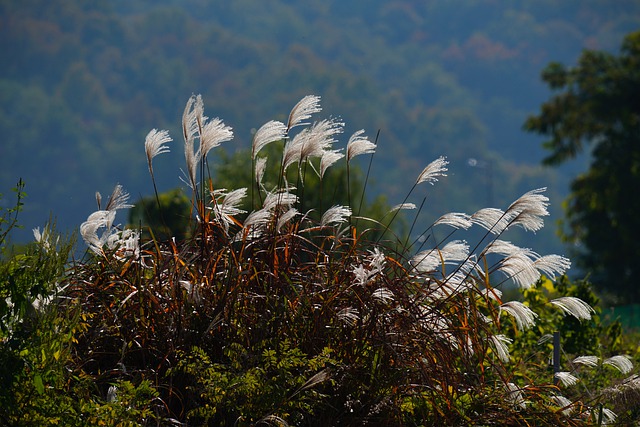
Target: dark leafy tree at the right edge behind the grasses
x,y
597,107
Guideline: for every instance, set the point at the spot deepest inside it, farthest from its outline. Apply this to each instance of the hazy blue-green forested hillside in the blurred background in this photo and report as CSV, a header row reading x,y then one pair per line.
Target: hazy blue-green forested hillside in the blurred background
x,y
82,83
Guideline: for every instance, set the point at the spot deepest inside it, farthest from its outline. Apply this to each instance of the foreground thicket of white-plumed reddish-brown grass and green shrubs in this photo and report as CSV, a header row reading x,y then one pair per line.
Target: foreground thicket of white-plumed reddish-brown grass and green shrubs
x,y
278,314
